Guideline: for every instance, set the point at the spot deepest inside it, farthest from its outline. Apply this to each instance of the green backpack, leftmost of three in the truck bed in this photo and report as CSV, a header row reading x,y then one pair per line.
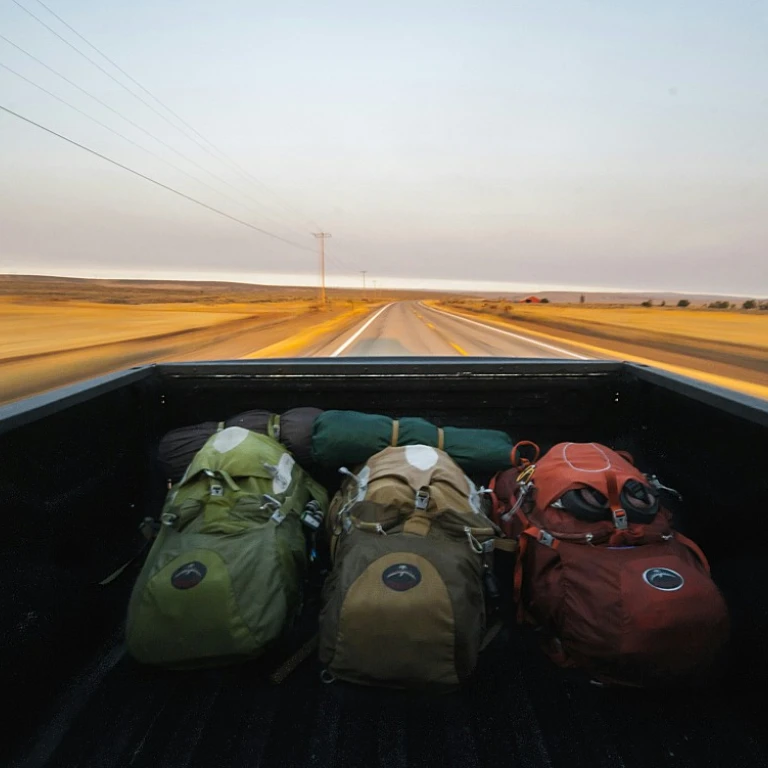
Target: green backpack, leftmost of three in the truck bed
x,y
223,579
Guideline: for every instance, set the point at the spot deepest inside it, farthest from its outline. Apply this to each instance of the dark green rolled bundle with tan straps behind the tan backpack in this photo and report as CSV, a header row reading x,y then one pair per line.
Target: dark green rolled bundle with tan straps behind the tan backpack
x,y
348,437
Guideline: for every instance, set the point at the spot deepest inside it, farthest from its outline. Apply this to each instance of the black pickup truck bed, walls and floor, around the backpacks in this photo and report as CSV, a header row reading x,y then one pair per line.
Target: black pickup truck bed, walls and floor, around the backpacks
x,y
80,471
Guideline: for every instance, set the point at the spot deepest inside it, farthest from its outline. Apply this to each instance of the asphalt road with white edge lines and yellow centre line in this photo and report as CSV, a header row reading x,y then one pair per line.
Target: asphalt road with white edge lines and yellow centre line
x,y
408,328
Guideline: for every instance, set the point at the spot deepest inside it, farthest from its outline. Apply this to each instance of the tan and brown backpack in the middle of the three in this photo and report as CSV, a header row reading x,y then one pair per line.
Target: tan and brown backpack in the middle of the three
x,y
404,605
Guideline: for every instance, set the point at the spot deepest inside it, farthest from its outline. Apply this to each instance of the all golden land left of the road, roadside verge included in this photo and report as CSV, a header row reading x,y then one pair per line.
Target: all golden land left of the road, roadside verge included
x,y
56,331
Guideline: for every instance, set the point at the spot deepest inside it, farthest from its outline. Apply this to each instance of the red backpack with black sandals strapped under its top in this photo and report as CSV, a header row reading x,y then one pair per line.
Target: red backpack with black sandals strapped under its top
x,y
602,574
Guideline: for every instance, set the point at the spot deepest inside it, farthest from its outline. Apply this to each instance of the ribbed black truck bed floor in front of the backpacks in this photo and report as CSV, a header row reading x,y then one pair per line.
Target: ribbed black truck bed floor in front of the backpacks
x,y
519,711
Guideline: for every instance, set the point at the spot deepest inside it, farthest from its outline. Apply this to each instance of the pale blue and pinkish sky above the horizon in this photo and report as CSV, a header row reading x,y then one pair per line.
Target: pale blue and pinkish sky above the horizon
x,y
605,144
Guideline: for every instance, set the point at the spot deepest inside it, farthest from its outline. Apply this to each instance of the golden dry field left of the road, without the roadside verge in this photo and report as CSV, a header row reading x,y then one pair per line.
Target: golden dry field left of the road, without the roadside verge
x,y
39,315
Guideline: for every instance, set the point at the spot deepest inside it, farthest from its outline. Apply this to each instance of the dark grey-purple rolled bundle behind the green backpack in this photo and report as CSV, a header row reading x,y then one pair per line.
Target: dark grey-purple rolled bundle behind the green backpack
x,y
293,428
